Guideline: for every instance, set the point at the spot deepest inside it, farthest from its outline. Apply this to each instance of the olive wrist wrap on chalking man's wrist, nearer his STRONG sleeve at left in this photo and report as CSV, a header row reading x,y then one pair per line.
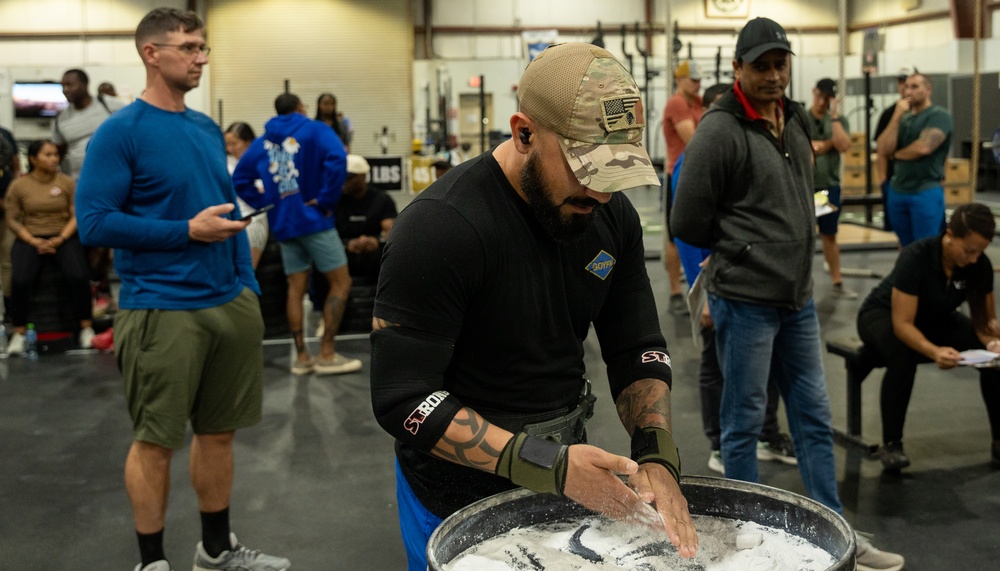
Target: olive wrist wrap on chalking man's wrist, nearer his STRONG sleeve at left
x,y
534,463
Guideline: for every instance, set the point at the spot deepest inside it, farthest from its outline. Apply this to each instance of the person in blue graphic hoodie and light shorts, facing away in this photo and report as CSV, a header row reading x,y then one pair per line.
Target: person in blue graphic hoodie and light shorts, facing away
x,y
303,166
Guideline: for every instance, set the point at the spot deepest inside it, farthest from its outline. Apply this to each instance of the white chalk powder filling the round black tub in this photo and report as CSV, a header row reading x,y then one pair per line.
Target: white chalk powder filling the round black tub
x,y
599,544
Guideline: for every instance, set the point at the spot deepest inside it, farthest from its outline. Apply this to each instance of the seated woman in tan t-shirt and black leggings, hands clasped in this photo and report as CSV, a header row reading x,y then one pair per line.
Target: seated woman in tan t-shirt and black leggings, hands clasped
x,y
40,213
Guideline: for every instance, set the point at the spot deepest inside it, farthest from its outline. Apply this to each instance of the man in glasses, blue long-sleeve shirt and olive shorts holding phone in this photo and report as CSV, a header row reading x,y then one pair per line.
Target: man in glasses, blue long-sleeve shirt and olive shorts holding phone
x,y
188,336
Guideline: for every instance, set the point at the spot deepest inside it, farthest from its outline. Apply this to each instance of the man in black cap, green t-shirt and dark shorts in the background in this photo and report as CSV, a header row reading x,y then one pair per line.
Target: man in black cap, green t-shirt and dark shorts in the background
x,y
828,131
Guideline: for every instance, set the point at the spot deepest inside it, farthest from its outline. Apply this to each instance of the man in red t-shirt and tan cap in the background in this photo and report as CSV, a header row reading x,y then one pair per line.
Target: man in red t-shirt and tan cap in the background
x,y
680,117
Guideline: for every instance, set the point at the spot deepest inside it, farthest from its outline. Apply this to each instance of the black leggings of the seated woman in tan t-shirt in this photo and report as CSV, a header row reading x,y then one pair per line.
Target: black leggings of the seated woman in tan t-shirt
x,y
26,264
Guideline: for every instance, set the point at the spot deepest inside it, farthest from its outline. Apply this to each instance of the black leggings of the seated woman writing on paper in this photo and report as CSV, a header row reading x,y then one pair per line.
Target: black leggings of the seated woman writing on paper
x,y
875,329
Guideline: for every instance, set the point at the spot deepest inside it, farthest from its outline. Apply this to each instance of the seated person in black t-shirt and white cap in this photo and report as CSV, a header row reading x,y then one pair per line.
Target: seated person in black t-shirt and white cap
x,y
364,219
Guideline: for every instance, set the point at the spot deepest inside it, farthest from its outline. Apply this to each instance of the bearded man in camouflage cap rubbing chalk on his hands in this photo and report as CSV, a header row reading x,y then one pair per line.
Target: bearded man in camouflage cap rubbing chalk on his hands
x,y
490,282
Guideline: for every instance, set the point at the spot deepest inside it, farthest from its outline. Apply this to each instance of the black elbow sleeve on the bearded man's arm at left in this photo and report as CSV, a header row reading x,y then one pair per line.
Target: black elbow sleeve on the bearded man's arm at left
x,y
407,384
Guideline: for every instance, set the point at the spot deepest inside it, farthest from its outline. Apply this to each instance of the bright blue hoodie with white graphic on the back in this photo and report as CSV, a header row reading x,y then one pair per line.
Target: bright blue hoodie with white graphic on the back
x,y
303,166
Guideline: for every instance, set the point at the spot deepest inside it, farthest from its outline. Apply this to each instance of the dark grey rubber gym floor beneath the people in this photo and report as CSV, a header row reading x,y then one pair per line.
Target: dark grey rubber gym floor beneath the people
x,y
315,480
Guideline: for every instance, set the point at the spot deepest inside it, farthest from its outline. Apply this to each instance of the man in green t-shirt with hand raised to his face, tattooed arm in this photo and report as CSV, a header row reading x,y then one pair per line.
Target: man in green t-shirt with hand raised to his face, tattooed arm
x,y
917,139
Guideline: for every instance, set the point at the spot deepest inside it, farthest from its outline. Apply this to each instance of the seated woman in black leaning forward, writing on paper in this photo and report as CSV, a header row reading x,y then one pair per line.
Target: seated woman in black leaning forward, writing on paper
x,y
911,318
